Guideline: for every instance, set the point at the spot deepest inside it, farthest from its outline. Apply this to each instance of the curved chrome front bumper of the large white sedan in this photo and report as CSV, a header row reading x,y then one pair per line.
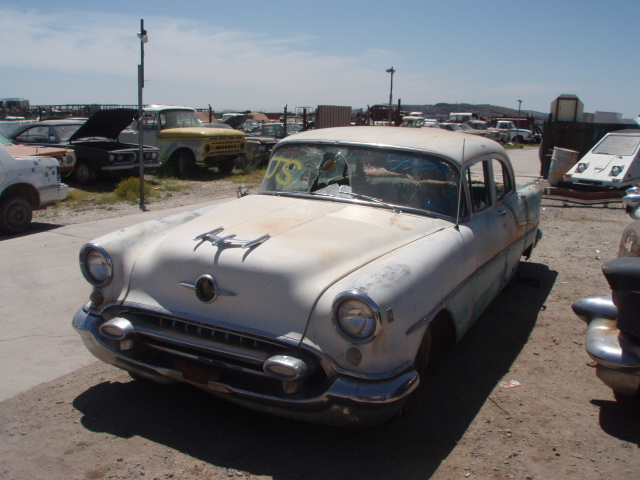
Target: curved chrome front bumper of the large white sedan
x,y
349,401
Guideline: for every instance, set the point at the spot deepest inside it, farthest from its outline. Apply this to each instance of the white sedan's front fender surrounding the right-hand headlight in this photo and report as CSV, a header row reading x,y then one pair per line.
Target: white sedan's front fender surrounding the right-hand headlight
x,y
408,285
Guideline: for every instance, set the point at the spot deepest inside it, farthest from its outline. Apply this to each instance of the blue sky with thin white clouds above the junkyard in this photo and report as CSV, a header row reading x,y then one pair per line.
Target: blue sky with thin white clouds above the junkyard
x,y
263,55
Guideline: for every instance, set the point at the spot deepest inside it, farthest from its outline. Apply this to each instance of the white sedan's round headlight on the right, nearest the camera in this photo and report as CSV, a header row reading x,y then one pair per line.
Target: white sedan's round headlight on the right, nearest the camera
x,y
356,315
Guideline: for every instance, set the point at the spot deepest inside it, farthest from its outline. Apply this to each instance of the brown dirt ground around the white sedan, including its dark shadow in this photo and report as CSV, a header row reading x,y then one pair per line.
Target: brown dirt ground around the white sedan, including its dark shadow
x,y
560,423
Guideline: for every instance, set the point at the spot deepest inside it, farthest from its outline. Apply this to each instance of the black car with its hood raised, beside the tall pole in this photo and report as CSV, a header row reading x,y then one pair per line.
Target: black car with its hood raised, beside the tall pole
x,y
97,150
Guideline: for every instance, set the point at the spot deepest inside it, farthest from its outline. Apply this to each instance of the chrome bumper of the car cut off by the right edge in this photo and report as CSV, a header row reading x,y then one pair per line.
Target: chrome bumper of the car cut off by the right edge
x,y
617,359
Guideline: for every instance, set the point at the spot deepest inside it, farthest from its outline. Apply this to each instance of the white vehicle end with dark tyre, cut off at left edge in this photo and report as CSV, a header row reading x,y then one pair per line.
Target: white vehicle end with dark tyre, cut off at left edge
x,y
27,184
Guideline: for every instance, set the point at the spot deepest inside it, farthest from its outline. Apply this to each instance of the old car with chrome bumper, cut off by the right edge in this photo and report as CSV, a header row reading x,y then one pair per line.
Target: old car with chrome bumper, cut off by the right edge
x,y
613,323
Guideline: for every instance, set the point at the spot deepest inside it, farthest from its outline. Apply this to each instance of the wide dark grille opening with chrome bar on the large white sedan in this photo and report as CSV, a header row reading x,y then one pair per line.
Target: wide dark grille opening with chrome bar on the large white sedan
x,y
221,355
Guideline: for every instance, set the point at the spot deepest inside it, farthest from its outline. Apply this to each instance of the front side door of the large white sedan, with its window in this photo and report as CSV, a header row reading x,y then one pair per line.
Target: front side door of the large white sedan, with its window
x,y
491,224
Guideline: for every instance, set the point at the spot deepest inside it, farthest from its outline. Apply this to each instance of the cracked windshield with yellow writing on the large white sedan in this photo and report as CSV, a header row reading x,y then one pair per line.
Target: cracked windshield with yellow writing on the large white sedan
x,y
384,176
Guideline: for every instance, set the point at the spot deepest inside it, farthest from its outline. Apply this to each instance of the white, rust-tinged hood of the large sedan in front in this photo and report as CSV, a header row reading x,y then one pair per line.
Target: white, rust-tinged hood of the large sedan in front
x,y
271,288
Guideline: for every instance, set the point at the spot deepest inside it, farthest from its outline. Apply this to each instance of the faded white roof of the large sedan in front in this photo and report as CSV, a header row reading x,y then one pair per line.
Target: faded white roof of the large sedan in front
x,y
438,141
